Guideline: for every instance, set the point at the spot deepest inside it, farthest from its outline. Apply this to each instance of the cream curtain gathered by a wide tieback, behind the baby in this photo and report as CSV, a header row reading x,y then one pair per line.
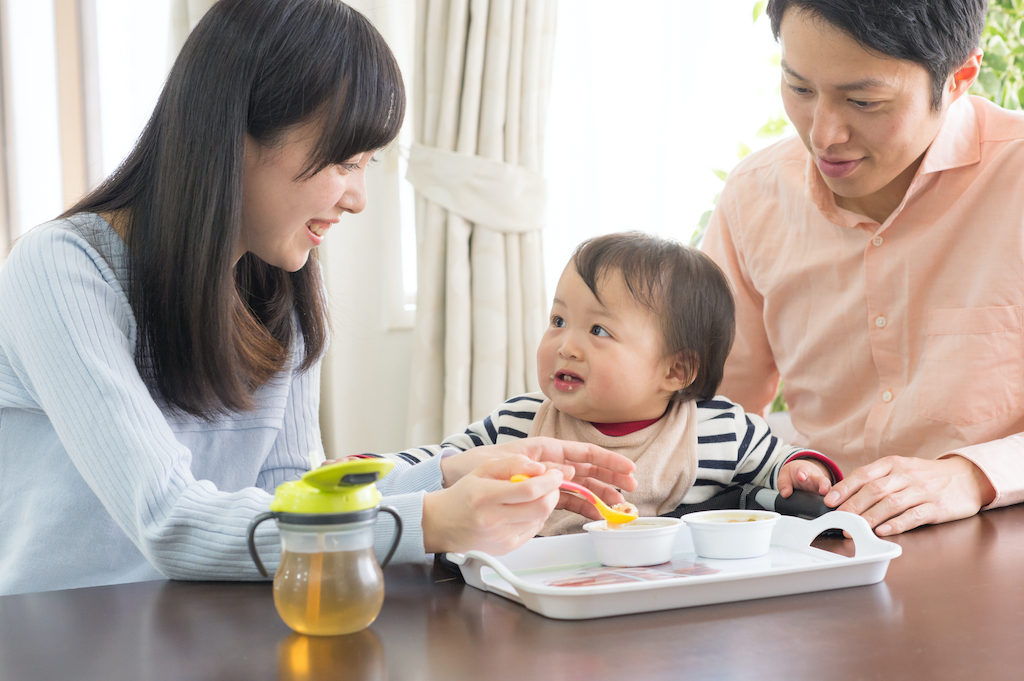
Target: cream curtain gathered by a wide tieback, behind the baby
x,y
482,84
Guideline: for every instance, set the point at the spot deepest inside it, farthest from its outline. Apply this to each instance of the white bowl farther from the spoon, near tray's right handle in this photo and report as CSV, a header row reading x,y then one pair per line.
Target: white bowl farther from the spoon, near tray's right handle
x,y
731,534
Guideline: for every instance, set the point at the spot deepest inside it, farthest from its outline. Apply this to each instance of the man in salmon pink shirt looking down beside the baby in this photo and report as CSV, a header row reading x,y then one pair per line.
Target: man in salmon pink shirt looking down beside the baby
x,y
879,261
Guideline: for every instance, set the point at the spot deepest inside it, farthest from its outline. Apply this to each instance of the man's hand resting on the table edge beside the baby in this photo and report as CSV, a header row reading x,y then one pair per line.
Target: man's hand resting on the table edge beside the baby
x,y
898,494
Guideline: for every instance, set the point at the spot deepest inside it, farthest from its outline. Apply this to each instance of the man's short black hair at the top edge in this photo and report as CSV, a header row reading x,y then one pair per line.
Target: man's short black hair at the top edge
x,y
937,34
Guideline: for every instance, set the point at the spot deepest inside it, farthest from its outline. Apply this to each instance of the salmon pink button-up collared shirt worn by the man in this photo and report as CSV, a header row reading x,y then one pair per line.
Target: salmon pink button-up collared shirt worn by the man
x,y
902,338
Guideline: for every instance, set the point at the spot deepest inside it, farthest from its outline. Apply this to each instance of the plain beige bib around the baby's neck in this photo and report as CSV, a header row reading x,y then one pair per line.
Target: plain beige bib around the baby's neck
x,y
666,455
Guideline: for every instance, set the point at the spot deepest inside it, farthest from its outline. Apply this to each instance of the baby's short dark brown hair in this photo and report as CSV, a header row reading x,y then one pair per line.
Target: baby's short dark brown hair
x,y
681,285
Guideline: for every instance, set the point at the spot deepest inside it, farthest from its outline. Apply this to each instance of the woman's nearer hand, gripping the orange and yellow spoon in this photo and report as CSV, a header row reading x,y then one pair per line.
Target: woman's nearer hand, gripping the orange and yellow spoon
x,y
487,513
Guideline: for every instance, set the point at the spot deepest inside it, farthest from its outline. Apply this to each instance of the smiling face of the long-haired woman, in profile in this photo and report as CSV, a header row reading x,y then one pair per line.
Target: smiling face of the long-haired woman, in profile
x,y
285,217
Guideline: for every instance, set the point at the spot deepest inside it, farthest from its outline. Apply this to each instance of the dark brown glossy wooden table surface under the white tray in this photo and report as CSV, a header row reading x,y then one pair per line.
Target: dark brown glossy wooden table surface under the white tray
x,y
951,608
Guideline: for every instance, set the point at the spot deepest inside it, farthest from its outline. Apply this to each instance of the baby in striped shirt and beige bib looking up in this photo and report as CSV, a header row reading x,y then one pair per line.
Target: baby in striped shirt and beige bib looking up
x,y
633,356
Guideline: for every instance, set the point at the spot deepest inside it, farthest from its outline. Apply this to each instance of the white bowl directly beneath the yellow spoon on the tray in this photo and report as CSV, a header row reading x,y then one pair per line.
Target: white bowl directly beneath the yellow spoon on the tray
x,y
644,542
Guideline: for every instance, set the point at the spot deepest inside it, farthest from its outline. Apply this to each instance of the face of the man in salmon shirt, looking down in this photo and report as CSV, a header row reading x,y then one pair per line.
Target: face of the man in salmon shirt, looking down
x,y
866,118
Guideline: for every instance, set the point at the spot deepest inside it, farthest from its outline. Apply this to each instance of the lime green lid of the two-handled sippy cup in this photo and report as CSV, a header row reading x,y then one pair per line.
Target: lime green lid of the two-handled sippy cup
x,y
343,488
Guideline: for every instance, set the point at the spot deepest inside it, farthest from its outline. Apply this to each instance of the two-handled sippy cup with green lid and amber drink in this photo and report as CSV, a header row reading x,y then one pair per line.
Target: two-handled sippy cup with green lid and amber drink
x,y
329,582
